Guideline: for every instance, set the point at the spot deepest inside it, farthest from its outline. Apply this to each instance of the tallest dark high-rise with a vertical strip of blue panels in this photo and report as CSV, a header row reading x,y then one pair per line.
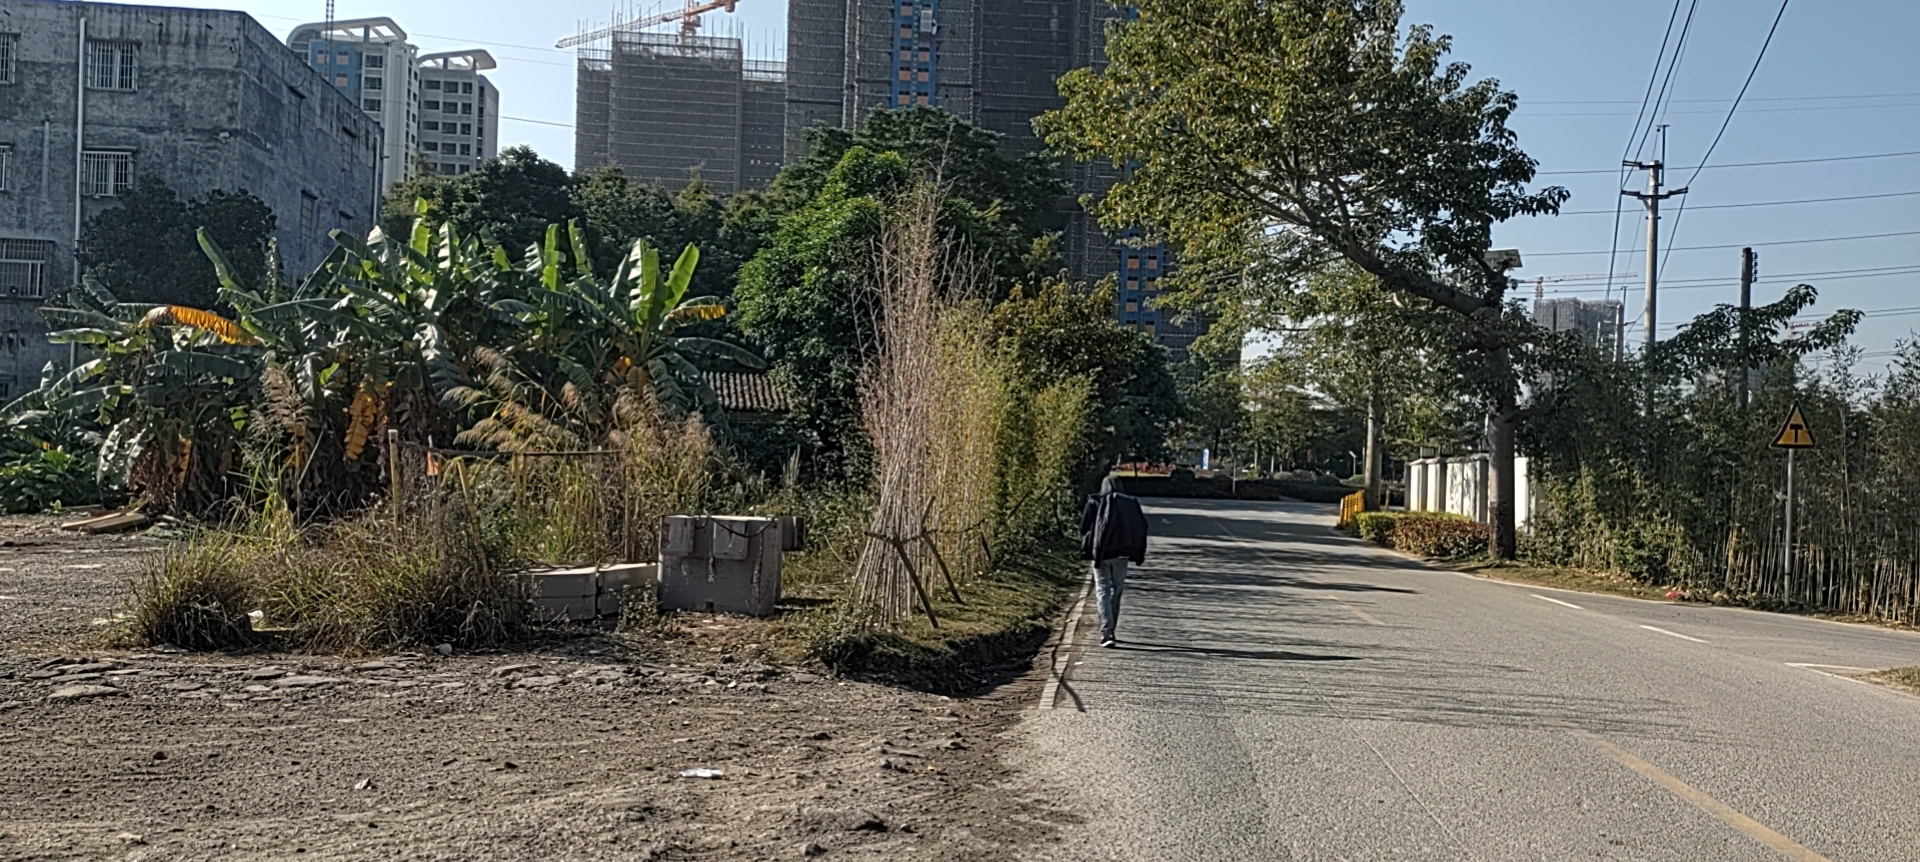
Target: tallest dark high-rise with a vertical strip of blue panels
x,y
996,64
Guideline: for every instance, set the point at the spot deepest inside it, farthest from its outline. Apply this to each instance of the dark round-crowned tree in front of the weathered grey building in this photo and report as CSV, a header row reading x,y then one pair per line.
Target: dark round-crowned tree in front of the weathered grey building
x,y
145,251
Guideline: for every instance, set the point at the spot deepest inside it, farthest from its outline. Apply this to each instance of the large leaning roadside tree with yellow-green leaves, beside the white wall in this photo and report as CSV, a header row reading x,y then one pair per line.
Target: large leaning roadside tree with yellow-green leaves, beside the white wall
x,y
1293,133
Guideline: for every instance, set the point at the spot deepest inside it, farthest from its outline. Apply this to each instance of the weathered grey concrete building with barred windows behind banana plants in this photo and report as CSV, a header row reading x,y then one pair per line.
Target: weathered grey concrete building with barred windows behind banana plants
x,y
95,95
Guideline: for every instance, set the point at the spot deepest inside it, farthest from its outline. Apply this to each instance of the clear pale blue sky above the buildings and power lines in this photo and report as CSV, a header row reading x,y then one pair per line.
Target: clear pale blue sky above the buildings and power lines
x,y
1842,80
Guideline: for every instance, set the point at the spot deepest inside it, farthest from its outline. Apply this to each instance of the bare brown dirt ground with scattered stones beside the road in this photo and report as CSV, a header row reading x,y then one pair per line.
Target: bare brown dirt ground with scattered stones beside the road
x,y
579,750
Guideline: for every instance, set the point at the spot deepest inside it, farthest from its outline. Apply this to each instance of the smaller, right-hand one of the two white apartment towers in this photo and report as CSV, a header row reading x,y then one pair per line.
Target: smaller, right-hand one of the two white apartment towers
x,y
460,110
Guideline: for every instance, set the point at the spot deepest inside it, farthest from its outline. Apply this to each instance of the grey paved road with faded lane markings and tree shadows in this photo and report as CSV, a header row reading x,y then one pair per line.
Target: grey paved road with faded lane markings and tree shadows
x,y
1287,694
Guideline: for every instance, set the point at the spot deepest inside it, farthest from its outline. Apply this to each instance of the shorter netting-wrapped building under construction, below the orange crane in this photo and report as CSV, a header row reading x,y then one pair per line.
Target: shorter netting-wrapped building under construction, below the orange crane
x,y
667,105
